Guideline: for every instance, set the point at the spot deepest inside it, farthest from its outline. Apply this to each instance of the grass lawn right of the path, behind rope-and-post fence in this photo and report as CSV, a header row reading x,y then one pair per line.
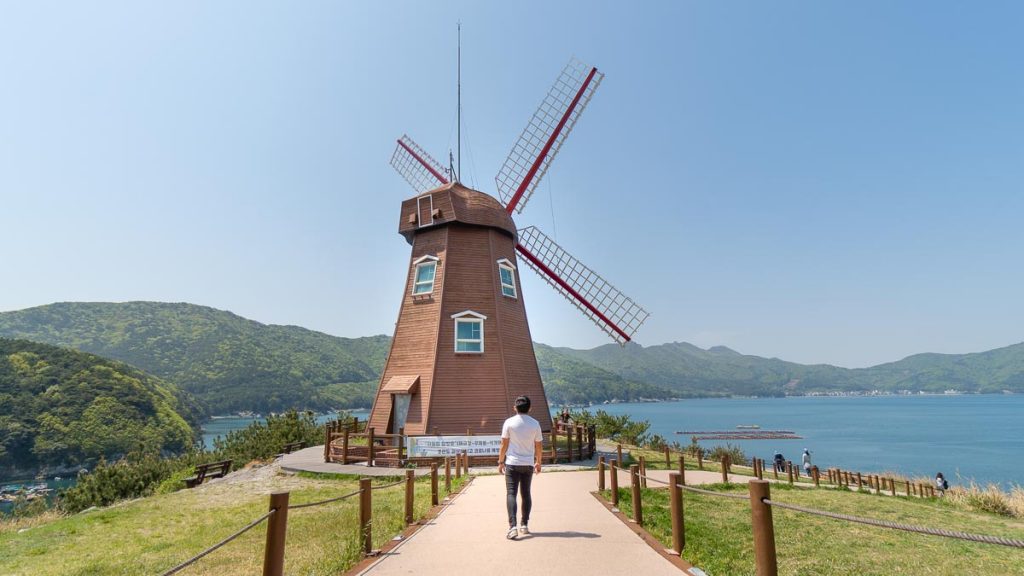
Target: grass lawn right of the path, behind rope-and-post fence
x,y
719,539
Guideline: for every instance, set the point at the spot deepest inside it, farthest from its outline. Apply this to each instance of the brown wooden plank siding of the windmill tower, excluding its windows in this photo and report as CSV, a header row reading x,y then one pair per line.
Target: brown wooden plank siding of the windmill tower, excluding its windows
x,y
461,393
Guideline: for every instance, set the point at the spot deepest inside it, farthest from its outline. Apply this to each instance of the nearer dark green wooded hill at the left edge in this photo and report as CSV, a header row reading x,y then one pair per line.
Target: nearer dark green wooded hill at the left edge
x,y
63,407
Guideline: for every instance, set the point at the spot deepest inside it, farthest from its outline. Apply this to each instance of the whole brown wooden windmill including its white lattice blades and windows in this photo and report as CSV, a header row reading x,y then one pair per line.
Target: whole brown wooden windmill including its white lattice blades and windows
x,y
462,350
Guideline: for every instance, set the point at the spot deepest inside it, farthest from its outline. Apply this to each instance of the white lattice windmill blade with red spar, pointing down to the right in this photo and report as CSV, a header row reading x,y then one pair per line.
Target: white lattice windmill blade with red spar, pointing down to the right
x,y
603,303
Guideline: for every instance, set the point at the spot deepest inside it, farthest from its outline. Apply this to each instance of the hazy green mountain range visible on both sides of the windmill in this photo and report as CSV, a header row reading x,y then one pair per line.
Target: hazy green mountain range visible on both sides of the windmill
x,y
232,364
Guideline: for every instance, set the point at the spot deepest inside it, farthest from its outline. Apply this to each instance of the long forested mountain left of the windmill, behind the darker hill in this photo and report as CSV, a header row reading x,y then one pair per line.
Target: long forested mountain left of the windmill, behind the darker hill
x,y
229,363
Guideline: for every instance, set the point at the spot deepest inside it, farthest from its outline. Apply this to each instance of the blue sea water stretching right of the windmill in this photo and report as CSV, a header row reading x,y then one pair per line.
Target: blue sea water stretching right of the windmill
x,y
965,437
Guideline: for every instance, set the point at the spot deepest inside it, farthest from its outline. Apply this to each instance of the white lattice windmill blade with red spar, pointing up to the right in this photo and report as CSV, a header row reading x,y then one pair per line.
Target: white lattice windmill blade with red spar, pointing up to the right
x,y
544,137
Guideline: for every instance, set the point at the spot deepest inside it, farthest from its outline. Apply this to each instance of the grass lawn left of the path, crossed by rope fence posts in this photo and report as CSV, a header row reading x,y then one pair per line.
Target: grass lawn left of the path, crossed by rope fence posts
x,y
152,536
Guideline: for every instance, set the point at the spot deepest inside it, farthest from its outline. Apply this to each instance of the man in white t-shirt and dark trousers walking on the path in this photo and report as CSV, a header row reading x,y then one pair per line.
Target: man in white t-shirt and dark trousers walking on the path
x,y
519,461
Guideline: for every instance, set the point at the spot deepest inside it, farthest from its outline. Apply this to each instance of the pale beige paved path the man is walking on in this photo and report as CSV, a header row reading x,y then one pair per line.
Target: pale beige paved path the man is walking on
x,y
572,533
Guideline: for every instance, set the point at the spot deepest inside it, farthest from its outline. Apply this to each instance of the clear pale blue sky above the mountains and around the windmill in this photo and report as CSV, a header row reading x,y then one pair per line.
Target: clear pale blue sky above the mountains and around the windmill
x,y
820,182
